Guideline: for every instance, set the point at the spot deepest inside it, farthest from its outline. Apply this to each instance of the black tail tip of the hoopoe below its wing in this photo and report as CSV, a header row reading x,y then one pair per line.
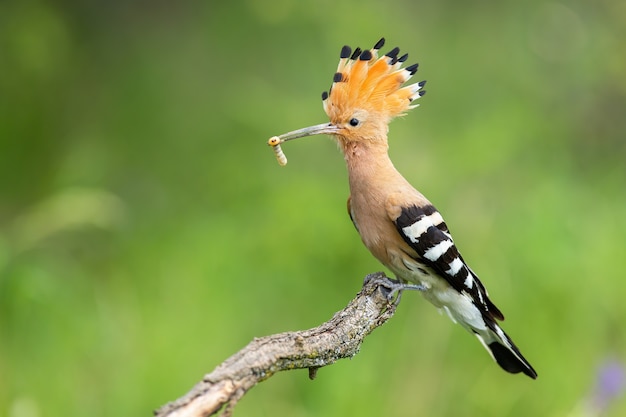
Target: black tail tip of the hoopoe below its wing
x,y
503,350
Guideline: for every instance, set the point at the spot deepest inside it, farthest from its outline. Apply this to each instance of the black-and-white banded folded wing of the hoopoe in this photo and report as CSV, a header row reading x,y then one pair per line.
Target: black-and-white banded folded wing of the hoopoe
x,y
425,231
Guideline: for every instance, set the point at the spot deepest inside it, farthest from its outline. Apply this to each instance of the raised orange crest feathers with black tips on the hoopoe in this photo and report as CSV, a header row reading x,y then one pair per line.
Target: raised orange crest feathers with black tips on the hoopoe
x,y
365,82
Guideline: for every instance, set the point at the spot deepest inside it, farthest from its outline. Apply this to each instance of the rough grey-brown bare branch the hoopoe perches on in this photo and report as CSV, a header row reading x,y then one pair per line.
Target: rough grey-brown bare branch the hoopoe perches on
x,y
338,338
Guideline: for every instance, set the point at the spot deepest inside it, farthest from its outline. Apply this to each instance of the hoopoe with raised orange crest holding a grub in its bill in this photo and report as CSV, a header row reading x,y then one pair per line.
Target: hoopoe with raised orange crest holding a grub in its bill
x,y
399,226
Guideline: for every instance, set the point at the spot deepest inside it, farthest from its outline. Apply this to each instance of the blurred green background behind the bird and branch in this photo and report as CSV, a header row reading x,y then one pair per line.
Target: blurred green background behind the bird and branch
x,y
147,232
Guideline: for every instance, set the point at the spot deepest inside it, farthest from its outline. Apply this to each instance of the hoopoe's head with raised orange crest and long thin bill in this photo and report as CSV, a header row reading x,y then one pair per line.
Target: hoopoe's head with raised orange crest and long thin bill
x,y
366,94
